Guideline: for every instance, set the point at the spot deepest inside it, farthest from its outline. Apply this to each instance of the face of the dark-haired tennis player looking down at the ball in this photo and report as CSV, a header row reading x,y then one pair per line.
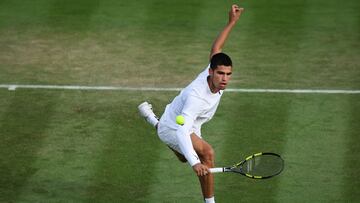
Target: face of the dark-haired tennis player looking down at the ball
x,y
219,78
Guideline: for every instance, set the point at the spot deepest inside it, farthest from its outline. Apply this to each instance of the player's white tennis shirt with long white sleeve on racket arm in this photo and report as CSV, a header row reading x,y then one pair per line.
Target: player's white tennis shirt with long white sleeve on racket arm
x,y
198,105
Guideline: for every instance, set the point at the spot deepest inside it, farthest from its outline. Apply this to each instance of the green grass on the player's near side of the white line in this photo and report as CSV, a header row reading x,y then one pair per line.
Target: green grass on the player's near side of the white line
x,y
92,146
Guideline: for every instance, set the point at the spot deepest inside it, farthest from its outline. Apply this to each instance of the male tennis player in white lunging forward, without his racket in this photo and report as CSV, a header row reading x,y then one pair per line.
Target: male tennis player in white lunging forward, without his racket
x,y
197,103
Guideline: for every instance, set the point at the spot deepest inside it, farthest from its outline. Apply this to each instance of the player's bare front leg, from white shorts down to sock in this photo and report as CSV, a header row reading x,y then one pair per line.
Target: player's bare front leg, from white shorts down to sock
x,y
207,157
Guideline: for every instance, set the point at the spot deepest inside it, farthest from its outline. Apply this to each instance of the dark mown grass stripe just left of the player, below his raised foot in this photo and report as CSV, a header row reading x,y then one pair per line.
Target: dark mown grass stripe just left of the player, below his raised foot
x,y
125,170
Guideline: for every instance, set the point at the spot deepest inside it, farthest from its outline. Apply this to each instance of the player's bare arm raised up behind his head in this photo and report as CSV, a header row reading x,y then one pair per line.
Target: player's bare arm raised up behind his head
x,y
234,15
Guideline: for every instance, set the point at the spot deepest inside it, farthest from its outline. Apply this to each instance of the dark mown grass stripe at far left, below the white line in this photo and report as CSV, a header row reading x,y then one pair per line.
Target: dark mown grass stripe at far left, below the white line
x,y
22,130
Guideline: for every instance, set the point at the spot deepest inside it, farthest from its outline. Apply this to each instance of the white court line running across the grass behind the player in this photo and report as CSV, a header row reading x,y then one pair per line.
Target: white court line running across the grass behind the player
x,y
75,87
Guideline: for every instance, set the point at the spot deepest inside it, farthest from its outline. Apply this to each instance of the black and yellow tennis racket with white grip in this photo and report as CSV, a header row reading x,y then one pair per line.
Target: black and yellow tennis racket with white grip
x,y
257,166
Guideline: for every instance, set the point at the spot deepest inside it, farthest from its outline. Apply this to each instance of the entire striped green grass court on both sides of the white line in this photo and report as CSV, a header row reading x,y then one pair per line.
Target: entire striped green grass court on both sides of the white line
x,y
91,146
